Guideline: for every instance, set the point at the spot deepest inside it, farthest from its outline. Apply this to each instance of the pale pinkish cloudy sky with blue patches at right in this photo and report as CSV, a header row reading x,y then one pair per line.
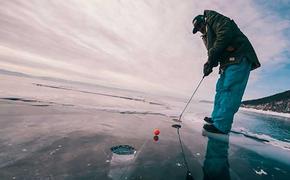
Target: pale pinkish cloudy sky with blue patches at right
x,y
145,45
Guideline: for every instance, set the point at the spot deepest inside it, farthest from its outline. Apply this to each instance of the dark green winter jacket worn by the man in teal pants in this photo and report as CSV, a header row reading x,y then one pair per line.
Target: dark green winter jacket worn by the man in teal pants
x,y
225,43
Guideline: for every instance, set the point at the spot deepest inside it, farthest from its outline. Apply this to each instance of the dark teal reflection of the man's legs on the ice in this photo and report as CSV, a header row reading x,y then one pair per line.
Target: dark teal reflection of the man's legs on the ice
x,y
216,165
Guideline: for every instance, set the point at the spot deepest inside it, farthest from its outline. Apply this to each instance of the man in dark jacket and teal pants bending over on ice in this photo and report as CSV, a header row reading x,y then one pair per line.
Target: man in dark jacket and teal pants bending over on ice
x,y
229,48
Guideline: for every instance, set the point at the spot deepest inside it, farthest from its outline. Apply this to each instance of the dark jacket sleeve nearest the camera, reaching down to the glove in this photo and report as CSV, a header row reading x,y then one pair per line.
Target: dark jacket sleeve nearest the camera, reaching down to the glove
x,y
222,27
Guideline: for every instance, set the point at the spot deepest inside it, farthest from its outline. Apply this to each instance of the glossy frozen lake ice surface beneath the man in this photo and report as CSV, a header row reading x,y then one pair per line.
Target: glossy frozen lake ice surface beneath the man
x,y
61,131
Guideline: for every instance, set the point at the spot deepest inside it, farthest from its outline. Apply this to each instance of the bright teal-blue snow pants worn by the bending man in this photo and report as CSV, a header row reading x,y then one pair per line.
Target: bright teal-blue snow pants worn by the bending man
x,y
230,88
